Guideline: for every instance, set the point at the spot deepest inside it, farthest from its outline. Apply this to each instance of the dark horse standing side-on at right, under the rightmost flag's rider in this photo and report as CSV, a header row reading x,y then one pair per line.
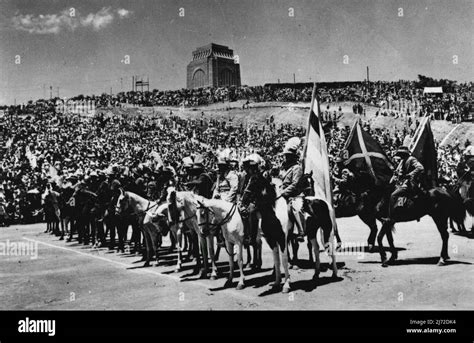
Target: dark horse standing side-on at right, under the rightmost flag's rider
x,y
436,202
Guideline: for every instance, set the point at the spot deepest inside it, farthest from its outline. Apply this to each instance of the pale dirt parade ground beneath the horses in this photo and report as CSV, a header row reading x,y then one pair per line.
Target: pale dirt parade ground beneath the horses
x,y
58,275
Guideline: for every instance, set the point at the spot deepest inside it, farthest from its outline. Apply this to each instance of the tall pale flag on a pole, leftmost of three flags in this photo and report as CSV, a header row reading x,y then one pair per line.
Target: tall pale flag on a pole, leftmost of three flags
x,y
316,161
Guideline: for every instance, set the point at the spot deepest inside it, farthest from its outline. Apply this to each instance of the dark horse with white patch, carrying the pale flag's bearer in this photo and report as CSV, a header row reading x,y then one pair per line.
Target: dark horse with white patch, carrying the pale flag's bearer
x,y
274,221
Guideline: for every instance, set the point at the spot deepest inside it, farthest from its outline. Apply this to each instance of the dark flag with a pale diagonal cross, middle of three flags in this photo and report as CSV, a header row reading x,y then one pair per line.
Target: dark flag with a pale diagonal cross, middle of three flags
x,y
362,153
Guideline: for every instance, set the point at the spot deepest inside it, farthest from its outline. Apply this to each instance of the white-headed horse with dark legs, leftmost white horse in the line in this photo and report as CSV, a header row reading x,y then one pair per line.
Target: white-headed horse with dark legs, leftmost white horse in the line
x,y
129,202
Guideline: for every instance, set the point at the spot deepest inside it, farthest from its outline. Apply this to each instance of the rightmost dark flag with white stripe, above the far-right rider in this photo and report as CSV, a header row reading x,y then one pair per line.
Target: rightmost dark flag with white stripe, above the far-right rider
x,y
423,148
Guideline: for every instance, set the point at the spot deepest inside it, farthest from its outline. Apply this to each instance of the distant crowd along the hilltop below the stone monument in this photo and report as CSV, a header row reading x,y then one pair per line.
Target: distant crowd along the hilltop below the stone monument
x,y
390,97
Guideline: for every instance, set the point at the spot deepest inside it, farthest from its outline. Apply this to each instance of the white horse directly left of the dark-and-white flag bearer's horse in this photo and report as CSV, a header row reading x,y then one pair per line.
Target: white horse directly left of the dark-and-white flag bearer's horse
x,y
220,213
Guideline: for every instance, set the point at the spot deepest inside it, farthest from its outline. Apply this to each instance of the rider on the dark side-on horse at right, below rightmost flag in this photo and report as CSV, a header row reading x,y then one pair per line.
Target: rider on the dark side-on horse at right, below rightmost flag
x,y
409,175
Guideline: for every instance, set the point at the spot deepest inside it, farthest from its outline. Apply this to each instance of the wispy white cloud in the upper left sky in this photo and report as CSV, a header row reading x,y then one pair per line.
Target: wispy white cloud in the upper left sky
x,y
55,23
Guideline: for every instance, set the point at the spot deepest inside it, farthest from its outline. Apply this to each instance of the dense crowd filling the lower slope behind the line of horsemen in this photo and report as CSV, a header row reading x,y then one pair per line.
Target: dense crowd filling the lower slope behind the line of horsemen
x,y
53,147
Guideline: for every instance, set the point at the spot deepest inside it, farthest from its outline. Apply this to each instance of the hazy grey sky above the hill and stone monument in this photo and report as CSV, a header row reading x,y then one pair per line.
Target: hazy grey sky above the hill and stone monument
x,y
80,46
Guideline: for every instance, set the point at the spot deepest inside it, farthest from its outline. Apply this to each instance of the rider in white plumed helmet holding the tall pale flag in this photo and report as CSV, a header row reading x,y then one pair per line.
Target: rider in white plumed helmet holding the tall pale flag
x,y
291,176
